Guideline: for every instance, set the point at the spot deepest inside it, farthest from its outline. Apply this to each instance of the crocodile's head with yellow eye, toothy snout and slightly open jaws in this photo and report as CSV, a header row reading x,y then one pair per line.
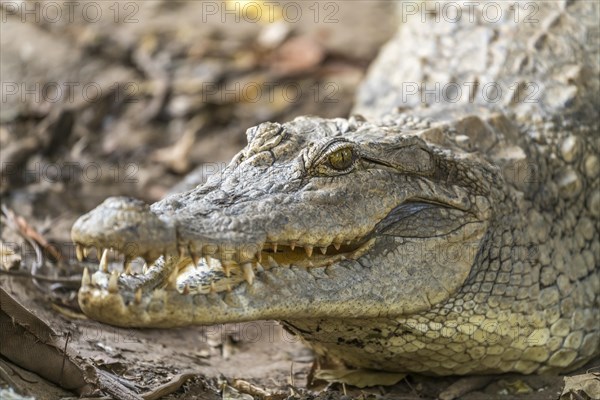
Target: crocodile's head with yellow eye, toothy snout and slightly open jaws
x,y
313,219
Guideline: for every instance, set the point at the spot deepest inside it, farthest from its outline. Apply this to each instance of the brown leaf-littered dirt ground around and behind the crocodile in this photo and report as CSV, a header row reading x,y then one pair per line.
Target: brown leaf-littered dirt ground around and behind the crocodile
x,y
104,98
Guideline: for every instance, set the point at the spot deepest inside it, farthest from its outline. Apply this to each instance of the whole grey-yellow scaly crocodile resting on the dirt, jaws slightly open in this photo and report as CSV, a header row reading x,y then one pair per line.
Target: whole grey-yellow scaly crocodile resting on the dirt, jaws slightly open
x,y
443,233
